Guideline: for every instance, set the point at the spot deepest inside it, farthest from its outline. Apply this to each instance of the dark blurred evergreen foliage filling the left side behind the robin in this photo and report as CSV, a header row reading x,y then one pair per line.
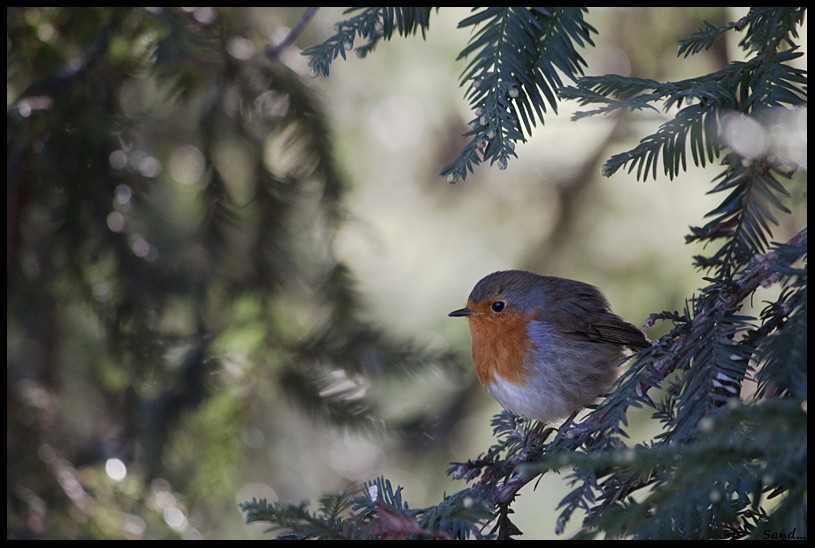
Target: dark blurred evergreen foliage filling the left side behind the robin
x,y
168,203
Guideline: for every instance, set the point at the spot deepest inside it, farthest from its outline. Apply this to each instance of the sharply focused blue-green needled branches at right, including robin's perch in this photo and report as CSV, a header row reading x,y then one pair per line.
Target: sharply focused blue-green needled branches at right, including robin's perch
x,y
728,464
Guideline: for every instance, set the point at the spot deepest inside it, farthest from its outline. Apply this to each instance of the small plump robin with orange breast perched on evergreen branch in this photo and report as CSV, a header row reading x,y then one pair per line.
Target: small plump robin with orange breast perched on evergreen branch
x,y
545,347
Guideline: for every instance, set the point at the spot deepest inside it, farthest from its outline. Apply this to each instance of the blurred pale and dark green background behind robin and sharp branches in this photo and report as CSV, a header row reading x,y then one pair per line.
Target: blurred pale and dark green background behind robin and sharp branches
x,y
230,279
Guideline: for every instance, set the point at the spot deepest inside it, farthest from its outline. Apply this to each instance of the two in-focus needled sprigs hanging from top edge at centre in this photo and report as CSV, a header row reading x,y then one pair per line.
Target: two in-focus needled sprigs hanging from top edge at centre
x,y
519,56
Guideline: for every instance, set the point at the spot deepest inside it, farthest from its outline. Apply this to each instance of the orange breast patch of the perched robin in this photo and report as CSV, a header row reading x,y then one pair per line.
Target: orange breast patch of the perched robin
x,y
499,346
